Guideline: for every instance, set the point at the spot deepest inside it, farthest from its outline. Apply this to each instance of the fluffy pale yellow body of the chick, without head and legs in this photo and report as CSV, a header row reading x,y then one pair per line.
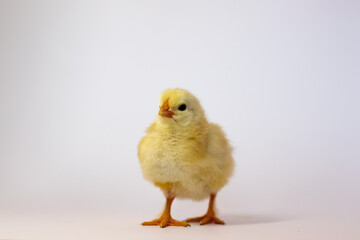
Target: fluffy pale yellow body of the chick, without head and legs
x,y
187,163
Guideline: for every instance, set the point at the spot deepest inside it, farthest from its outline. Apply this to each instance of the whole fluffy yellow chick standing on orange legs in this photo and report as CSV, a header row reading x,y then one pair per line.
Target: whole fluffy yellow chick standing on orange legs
x,y
185,156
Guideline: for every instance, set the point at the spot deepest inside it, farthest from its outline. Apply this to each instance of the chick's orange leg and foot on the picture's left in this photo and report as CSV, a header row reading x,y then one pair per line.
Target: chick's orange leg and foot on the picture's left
x,y
166,219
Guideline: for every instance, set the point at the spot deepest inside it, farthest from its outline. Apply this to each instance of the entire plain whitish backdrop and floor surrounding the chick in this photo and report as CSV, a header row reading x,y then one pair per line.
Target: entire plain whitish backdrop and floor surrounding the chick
x,y
80,82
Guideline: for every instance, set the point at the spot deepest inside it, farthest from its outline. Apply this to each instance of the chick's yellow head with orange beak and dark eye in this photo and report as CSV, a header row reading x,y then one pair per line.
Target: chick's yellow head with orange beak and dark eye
x,y
179,107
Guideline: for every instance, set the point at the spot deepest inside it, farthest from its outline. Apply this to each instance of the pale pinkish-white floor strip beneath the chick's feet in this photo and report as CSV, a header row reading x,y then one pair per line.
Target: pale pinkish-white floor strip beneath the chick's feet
x,y
105,226
